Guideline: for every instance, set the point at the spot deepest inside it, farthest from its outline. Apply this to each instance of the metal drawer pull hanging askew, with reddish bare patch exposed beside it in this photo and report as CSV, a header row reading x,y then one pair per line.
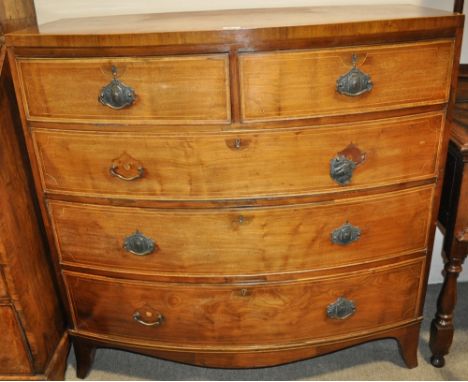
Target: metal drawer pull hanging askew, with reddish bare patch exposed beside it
x,y
343,165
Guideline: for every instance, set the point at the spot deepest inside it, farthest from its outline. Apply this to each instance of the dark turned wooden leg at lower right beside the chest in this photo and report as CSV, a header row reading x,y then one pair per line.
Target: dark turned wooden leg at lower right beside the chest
x,y
442,325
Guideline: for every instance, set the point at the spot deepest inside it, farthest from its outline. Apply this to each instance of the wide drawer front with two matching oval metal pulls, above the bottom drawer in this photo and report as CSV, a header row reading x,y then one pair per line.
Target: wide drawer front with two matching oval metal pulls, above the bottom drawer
x,y
242,241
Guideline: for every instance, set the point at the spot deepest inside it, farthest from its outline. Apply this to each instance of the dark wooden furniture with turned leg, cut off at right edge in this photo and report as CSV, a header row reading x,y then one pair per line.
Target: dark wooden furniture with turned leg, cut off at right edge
x,y
453,218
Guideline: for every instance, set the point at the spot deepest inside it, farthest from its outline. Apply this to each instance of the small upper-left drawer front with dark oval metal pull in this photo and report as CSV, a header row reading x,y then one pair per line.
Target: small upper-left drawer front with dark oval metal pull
x,y
185,89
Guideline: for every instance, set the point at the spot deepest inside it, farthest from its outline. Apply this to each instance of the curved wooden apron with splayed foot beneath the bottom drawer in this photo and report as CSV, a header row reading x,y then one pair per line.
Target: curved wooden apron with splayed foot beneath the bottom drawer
x,y
405,333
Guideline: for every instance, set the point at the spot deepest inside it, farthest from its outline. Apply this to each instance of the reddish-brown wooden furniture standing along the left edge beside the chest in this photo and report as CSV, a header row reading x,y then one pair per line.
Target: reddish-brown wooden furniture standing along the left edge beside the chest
x,y
33,343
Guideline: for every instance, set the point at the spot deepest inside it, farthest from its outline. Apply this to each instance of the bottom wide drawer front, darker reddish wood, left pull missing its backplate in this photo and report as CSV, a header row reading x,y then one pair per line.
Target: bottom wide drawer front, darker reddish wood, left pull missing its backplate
x,y
224,315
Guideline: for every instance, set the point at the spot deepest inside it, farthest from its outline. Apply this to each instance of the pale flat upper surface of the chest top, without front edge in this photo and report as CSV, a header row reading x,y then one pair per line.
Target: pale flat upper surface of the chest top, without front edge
x,y
234,19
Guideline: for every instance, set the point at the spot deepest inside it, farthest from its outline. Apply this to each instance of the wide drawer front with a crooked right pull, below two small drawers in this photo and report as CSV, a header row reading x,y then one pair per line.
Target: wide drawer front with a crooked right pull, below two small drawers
x,y
244,165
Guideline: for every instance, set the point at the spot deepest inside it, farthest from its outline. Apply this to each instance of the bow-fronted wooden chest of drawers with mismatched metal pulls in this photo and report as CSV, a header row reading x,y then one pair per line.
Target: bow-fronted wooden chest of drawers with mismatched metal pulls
x,y
240,188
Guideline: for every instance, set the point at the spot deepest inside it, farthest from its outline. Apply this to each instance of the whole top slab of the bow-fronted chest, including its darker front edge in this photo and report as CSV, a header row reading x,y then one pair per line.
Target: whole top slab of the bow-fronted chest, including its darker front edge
x,y
320,24
